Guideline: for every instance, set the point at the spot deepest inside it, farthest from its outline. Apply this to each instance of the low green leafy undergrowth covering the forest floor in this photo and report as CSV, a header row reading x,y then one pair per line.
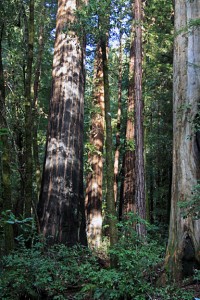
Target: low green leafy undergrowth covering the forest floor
x,y
59,272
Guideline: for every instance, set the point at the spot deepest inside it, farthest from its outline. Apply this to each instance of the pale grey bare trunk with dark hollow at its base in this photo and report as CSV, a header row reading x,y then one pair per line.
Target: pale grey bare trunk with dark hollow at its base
x,y
184,242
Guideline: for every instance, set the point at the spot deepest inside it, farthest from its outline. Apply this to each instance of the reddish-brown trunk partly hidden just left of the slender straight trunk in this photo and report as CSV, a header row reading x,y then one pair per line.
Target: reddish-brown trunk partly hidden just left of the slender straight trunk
x,y
129,156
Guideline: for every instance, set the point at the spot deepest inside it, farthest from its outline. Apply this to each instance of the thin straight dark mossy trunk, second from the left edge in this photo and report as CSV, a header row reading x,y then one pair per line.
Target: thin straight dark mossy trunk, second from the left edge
x,y
28,115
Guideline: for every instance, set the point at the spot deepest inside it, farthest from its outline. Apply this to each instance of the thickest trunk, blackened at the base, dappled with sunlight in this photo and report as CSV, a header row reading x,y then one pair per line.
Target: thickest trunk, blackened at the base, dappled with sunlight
x,y
61,200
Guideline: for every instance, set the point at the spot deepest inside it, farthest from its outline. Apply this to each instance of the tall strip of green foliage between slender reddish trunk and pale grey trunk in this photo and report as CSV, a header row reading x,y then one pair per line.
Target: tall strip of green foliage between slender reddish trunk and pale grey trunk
x,y
157,93
